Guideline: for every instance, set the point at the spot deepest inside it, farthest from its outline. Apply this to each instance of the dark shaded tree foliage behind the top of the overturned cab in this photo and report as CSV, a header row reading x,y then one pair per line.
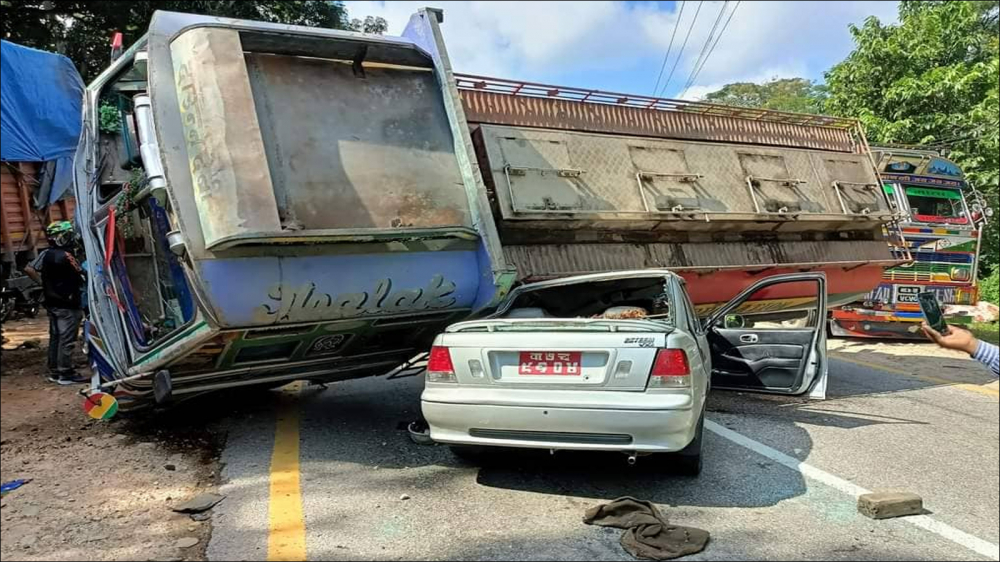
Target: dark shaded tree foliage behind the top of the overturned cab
x,y
82,30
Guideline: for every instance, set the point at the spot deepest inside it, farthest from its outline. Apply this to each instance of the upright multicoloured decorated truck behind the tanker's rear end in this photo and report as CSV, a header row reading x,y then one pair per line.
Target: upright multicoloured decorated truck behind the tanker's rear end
x,y
942,232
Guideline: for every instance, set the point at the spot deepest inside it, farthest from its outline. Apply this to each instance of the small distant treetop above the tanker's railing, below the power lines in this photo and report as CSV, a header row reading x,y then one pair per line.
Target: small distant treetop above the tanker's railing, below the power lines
x,y
786,94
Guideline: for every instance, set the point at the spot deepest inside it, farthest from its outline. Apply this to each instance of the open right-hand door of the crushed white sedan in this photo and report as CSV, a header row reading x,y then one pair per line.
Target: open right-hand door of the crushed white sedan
x,y
771,337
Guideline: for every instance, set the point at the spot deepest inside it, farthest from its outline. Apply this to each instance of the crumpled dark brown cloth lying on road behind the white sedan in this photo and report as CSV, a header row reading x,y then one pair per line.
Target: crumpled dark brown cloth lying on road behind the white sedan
x,y
648,534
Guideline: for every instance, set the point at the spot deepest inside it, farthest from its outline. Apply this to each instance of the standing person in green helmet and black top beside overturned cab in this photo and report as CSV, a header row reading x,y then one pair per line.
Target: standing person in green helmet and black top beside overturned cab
x,y
62,283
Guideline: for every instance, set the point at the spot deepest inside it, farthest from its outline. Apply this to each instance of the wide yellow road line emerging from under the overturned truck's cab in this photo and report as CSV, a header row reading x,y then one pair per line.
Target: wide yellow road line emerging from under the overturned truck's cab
x,y
287,527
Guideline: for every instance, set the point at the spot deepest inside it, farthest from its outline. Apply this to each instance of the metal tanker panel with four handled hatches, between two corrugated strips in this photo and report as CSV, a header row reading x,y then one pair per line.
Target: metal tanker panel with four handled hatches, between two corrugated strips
x,y
564,177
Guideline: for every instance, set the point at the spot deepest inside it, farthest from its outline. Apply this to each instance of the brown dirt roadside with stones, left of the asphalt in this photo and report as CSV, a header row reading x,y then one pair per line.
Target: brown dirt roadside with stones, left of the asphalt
x,y
99,490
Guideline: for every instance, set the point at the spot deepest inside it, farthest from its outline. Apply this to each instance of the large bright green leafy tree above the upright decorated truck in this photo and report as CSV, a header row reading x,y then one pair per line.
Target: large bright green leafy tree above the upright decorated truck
x,y
931,79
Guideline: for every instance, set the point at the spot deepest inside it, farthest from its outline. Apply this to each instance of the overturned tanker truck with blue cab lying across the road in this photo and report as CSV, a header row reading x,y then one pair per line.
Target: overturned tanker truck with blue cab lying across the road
x,y
285,202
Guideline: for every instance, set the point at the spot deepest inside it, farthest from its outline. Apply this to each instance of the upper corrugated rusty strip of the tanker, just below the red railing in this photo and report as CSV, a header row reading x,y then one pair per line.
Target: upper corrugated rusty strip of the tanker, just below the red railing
x,y
523,111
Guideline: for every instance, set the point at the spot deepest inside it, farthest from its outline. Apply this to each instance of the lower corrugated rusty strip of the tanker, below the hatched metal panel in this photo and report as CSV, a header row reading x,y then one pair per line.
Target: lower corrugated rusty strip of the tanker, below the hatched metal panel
x,y
558,260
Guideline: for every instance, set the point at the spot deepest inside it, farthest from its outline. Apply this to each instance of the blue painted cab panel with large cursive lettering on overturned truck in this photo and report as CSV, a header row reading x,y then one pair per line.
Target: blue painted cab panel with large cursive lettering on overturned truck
x,y
264,291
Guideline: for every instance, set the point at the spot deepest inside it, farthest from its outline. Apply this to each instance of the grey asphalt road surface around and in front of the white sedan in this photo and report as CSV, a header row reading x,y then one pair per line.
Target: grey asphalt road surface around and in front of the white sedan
x,y
780,478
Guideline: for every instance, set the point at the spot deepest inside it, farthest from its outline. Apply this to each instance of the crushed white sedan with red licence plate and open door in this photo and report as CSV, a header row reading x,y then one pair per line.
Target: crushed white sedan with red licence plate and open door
x,y
619,362
